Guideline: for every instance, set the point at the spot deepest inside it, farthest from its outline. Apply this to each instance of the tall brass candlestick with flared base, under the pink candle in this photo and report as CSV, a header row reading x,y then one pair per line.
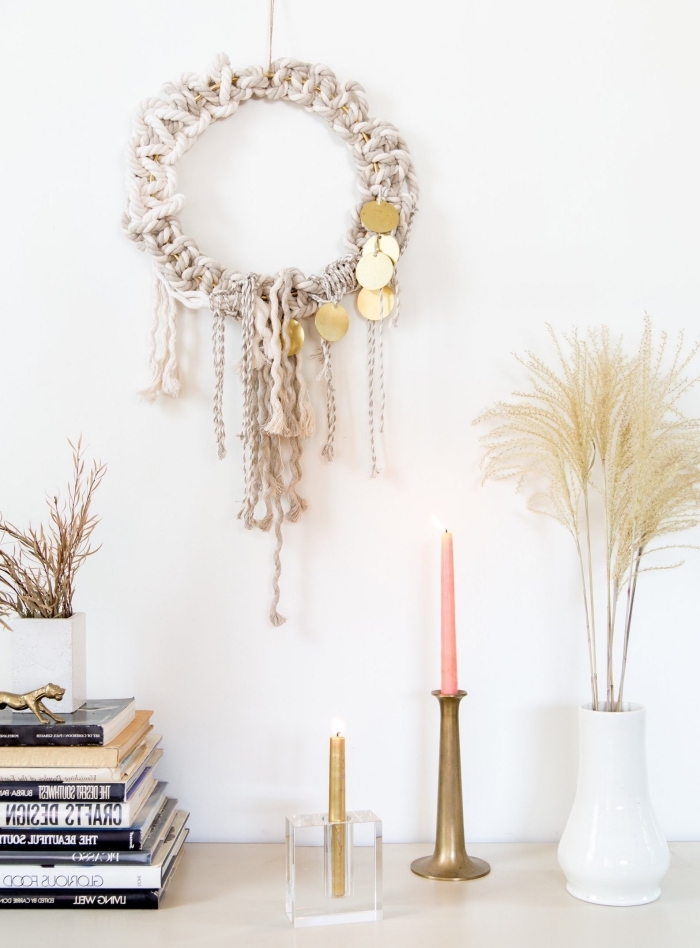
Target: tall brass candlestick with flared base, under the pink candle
x,y
450,861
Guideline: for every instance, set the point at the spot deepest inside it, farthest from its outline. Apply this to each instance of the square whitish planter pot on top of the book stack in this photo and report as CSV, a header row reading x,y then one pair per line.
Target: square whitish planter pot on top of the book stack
x,y
50,650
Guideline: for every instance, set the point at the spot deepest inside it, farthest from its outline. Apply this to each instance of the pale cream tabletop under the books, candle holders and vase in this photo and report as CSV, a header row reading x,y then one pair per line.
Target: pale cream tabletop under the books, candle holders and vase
x,y
232,894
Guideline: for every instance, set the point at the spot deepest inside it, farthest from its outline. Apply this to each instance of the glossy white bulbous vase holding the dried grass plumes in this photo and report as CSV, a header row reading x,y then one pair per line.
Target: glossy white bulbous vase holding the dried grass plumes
x,y
612,851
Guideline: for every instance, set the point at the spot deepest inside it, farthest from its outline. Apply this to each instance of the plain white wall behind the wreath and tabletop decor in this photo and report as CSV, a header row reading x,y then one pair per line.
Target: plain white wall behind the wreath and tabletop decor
x,y
557,150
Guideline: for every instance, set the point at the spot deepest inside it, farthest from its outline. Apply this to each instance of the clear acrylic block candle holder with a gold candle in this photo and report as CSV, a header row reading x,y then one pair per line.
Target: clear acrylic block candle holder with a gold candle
x,y
334,870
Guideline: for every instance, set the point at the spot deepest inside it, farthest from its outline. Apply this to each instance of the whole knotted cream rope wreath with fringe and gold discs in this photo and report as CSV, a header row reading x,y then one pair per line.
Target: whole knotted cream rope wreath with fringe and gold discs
x,y
277,412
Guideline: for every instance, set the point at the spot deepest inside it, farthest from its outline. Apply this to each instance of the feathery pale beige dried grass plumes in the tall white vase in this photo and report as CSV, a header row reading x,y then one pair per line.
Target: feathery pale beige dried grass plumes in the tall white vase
x,y
609,422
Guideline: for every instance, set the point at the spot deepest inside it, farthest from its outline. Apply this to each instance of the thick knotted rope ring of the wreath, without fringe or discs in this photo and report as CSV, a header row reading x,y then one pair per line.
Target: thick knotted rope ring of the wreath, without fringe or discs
x,y
167,127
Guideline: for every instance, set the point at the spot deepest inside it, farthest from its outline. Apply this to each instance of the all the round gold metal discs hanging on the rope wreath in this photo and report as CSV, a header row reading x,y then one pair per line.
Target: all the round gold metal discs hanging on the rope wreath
x,y
374,273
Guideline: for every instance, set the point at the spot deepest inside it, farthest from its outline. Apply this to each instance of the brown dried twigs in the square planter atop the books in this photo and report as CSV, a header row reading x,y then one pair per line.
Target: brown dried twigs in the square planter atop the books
x,y
37,575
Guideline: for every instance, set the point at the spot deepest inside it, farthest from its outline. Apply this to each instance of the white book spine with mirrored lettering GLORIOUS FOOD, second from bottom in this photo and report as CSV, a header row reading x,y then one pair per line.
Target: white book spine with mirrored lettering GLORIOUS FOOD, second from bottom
x,y
79,877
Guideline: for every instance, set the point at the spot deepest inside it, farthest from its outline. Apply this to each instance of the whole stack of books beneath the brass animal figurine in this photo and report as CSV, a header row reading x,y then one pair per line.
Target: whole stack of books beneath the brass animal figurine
x,y
84,821
